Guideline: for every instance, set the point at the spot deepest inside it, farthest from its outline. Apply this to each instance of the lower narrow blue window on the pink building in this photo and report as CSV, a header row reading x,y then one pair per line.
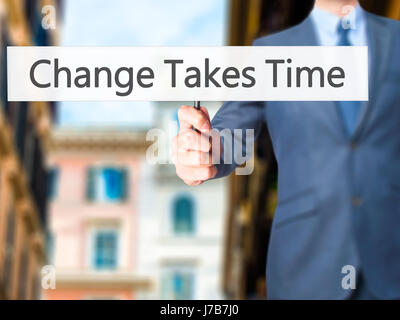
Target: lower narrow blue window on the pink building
x,y
105,250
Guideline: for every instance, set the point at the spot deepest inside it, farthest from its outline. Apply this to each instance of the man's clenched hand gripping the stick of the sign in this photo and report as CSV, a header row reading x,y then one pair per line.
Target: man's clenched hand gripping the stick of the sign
x,y
192,150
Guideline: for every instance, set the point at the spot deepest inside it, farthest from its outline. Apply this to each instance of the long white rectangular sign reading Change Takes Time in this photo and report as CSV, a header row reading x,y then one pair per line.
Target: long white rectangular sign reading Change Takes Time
x,y
187,73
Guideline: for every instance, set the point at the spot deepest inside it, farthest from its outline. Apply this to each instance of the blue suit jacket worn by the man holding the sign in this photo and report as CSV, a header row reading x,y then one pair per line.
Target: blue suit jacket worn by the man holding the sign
x,y
338,196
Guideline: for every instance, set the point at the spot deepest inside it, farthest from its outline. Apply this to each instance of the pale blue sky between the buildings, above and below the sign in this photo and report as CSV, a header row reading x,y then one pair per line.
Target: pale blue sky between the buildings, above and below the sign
x,y
135,23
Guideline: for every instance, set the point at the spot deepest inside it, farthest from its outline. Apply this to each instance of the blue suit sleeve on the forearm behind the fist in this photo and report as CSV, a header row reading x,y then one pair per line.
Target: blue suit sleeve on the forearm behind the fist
x,y
232,120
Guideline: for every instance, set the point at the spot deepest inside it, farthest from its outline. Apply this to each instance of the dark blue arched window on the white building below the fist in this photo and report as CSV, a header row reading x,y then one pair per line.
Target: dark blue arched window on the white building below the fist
x,y
183,215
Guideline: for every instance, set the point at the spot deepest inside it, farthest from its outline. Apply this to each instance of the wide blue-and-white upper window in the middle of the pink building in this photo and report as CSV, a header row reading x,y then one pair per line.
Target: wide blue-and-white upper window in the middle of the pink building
x,y
106,184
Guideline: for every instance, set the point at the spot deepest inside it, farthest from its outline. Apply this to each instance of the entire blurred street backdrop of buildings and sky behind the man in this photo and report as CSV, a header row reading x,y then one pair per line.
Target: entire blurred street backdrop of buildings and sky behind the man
x,y
84,214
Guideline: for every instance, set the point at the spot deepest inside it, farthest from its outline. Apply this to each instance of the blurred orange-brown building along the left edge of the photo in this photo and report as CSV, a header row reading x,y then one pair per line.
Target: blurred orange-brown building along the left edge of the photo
x,y
24,137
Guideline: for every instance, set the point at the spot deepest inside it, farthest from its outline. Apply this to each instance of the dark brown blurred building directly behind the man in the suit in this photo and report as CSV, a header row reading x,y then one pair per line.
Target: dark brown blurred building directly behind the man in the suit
x,y
252,199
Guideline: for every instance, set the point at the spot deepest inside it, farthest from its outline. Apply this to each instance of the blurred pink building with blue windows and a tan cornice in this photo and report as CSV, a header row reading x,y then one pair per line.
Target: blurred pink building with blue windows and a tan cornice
x,y
94,213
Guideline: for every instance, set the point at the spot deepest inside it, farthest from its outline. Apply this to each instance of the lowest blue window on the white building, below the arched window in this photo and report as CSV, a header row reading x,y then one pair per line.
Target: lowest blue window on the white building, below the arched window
x,y
177,284
